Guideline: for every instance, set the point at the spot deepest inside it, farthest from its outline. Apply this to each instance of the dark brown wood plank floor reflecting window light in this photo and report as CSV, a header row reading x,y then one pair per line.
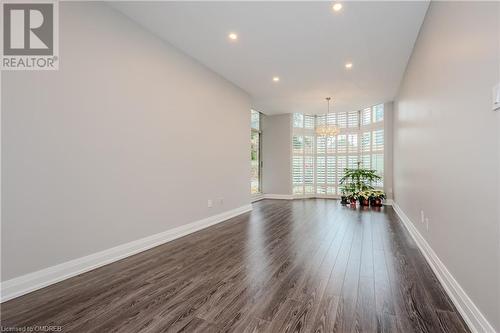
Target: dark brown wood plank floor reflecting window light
x,y
287,266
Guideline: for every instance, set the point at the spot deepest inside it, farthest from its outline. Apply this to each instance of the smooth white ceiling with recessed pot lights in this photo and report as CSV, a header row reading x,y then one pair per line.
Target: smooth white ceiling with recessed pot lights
x,y
306,44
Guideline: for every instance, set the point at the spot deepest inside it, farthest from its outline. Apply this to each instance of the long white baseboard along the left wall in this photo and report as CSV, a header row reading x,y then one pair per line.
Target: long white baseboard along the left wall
x,y
33,281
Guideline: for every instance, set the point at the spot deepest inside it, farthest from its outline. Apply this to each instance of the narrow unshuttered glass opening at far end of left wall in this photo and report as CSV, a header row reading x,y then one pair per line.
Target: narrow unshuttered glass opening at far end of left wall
x,y
255,158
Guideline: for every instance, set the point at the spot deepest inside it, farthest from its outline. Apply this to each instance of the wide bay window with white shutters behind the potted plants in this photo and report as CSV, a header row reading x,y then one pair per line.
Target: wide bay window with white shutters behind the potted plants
x,y
318,163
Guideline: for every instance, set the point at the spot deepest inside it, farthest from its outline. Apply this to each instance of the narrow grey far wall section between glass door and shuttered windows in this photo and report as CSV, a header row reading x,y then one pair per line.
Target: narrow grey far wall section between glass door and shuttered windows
x,y
276,154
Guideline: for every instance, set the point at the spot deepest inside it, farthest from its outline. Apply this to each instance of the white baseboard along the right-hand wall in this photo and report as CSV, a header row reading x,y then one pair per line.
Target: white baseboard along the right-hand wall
x,y
469,311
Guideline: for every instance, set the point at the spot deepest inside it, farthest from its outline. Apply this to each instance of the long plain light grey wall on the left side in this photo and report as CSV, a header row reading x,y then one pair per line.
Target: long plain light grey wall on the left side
x,y
129,138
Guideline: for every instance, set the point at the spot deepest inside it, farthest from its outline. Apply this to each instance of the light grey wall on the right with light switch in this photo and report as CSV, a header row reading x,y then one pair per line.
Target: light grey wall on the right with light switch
x,y
446,145
